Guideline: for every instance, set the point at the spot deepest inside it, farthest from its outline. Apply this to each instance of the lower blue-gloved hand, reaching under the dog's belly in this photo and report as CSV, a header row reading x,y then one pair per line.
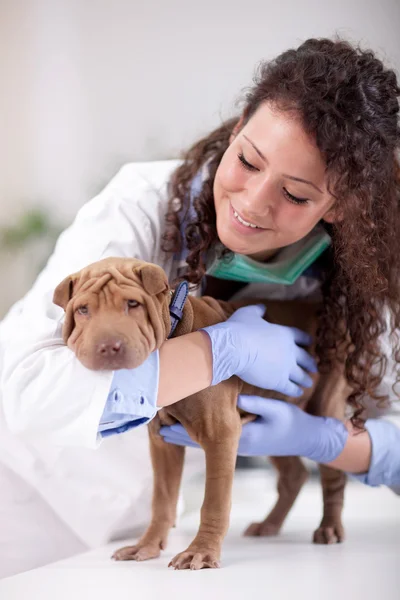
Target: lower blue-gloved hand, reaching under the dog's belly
x,y
281,429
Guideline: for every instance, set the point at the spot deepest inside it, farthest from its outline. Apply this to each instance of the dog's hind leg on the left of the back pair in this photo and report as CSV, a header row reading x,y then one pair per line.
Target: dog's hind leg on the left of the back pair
x,y
292,476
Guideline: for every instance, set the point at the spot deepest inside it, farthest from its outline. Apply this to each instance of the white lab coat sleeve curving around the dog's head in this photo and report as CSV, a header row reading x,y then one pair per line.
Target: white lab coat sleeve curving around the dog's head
x,y
46,392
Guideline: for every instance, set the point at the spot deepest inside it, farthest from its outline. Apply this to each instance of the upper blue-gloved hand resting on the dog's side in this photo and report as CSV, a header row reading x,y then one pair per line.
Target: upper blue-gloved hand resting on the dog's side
x,y
260,353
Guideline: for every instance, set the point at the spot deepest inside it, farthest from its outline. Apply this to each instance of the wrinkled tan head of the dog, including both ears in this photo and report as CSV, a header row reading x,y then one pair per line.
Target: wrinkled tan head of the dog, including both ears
x,y
116,312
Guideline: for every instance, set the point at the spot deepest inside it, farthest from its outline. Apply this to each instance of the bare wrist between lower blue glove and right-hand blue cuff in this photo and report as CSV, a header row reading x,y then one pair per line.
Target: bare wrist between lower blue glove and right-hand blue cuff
x,y
356,455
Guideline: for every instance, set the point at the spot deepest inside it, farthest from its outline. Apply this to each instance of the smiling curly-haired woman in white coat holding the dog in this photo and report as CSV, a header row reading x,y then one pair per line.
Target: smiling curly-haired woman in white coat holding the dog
x,y
302,191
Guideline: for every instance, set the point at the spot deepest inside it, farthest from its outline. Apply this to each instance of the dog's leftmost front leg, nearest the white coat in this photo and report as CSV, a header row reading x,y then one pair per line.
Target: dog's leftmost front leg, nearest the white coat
x,y
167,461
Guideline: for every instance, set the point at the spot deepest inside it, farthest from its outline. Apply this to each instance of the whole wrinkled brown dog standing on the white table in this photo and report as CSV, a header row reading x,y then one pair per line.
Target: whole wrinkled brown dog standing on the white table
x,y
110,334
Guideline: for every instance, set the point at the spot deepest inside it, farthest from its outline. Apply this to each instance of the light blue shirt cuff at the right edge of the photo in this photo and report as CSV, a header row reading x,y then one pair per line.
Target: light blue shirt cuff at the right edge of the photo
x,y
385,459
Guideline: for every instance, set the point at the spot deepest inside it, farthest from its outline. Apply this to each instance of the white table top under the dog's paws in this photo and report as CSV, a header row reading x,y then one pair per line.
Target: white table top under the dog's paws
x,y
366,566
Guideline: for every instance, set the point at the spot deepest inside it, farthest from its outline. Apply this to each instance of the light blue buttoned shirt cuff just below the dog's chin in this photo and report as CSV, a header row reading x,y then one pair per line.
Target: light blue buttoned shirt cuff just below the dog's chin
x,y
132,400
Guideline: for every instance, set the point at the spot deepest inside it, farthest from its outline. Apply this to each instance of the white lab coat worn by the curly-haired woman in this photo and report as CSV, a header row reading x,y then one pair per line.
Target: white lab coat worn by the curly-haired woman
x,y
51,405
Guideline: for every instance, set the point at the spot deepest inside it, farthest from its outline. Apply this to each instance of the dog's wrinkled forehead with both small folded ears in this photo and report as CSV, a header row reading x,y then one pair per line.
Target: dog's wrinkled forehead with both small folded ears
x,y
121,271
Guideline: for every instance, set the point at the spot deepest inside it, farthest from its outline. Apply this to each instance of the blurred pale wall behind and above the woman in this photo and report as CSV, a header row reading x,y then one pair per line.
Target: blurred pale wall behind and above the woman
x,y
87,85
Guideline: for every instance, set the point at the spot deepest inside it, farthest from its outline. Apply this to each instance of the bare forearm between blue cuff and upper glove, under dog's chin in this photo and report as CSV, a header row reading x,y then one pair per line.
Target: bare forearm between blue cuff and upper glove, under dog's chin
x,y
185,367
